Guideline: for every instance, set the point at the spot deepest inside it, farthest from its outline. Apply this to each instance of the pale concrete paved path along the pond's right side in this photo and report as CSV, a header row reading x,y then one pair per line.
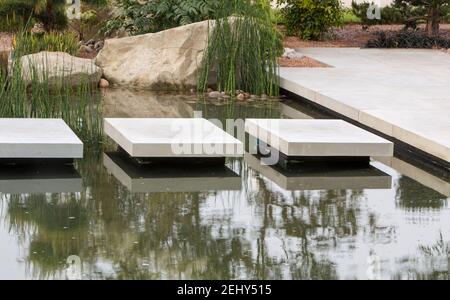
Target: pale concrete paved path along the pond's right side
x,y
402,93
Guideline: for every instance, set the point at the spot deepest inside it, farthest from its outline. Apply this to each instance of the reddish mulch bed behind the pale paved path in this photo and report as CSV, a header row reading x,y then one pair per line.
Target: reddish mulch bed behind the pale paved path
x,y
351,36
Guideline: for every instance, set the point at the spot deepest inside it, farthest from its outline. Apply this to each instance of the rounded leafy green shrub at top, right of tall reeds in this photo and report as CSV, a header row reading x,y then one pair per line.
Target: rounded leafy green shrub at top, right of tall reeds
x,y
310,19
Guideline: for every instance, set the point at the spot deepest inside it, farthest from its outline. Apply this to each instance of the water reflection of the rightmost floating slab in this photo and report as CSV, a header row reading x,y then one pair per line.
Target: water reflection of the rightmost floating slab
x,y
323,178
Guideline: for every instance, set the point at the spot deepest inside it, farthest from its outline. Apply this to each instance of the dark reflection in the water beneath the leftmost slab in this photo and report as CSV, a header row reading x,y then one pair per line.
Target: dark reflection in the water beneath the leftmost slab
x,y
39,179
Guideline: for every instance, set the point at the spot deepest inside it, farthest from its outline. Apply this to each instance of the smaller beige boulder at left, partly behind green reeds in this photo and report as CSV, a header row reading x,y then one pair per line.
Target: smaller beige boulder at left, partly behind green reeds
x,y
59,68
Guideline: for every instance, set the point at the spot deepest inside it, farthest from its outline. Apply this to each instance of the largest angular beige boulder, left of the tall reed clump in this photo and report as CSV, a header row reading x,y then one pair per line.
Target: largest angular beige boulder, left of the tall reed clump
x,y
167,60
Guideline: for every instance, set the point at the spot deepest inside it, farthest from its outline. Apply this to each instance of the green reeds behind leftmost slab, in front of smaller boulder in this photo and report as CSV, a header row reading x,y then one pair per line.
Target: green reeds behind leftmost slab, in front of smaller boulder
x,y
78,106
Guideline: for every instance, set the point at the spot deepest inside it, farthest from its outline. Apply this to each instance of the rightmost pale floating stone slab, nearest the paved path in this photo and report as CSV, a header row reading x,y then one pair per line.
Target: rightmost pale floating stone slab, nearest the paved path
x,y
318,140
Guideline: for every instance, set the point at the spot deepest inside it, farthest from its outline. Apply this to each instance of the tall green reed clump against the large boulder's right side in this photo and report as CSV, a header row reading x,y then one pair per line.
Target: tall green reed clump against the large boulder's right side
x,y
242,50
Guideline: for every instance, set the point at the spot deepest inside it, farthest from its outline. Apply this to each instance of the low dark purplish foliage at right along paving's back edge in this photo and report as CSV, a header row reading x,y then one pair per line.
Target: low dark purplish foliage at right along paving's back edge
x,y
407,39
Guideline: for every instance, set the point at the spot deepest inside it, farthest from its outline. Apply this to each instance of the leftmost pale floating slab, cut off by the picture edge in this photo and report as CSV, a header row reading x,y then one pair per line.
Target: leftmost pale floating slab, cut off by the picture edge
x,y
36,140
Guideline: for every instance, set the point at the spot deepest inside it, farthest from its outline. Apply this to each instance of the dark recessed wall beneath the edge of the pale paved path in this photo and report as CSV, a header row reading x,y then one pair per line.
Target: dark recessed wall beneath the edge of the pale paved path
x,y
407,152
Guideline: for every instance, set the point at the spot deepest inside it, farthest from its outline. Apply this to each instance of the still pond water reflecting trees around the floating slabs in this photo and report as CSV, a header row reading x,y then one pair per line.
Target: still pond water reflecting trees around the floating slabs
x,y
243,221
